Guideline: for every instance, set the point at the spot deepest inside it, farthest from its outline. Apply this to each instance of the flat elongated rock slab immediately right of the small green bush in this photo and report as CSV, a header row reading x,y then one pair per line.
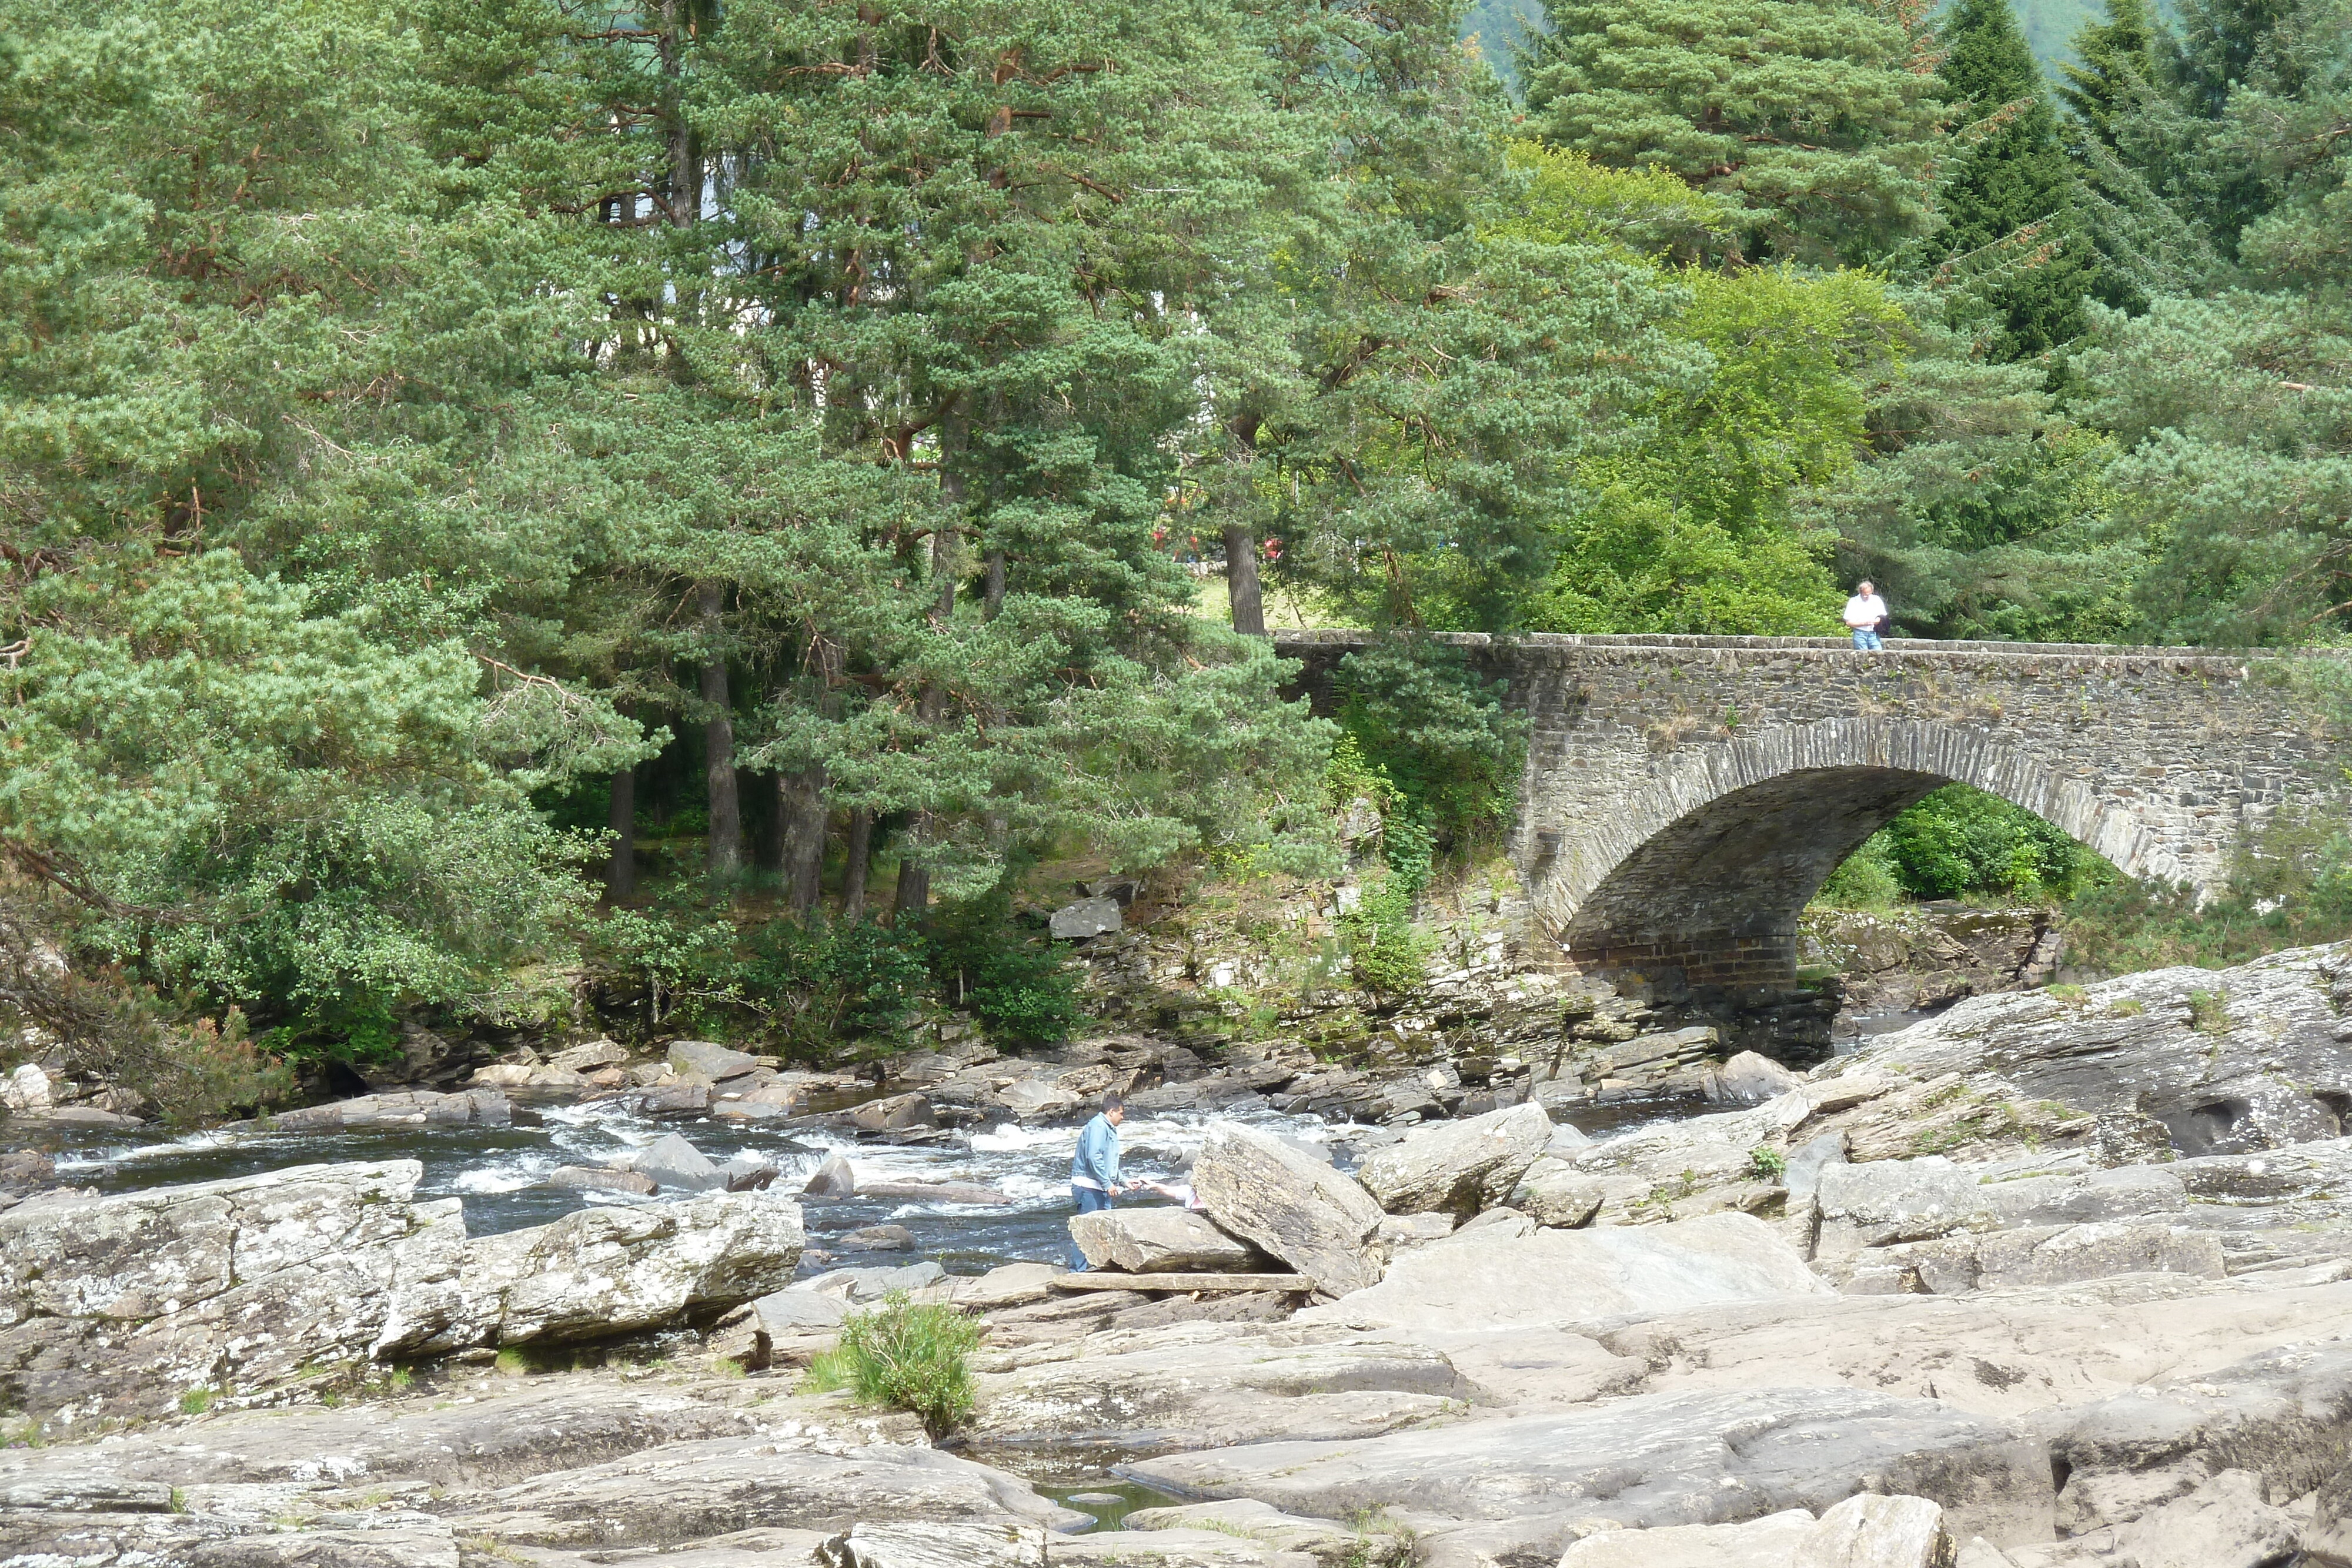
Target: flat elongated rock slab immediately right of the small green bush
x,y
1203,1386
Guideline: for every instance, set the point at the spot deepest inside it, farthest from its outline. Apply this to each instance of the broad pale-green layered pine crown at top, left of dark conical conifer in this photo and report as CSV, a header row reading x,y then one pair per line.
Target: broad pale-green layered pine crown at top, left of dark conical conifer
x,y
1810,112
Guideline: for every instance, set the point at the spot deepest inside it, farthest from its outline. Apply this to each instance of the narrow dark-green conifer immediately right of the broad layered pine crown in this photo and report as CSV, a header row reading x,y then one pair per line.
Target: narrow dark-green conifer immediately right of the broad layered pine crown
x,y
2012,232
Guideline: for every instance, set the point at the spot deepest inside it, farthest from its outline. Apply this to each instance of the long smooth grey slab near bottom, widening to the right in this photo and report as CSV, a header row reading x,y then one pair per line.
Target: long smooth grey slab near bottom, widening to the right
x,y
1652,1461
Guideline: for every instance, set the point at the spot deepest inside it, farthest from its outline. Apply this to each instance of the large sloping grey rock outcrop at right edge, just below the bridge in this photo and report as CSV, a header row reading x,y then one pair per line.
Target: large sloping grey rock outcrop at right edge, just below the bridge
x,y
2231,1061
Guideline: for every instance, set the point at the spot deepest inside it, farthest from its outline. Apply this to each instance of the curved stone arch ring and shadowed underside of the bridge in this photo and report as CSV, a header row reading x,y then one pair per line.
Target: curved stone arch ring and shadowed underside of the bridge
x,y
1706,864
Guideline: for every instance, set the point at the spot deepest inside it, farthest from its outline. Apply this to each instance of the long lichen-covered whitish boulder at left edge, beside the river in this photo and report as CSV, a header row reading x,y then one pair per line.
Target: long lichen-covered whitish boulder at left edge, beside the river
x,y
121,1306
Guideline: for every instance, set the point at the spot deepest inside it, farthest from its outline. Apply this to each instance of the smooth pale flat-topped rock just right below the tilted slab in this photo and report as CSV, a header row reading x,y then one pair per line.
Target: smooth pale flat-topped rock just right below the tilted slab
x,y
1502,1275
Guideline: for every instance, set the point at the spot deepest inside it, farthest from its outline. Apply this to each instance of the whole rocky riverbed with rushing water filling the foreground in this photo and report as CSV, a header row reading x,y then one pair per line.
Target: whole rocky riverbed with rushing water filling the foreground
x,y
2052,1278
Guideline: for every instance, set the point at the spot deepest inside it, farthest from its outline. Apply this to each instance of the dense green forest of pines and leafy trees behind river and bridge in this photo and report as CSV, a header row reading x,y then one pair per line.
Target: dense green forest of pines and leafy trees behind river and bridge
x,y
455,453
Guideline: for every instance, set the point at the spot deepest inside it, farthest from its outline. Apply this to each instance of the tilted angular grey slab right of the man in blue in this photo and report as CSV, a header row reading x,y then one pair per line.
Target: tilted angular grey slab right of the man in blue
x,y
1295,1209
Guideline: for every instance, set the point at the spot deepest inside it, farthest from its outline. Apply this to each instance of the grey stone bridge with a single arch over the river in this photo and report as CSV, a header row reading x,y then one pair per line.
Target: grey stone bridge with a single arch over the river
x,y
1685,798
